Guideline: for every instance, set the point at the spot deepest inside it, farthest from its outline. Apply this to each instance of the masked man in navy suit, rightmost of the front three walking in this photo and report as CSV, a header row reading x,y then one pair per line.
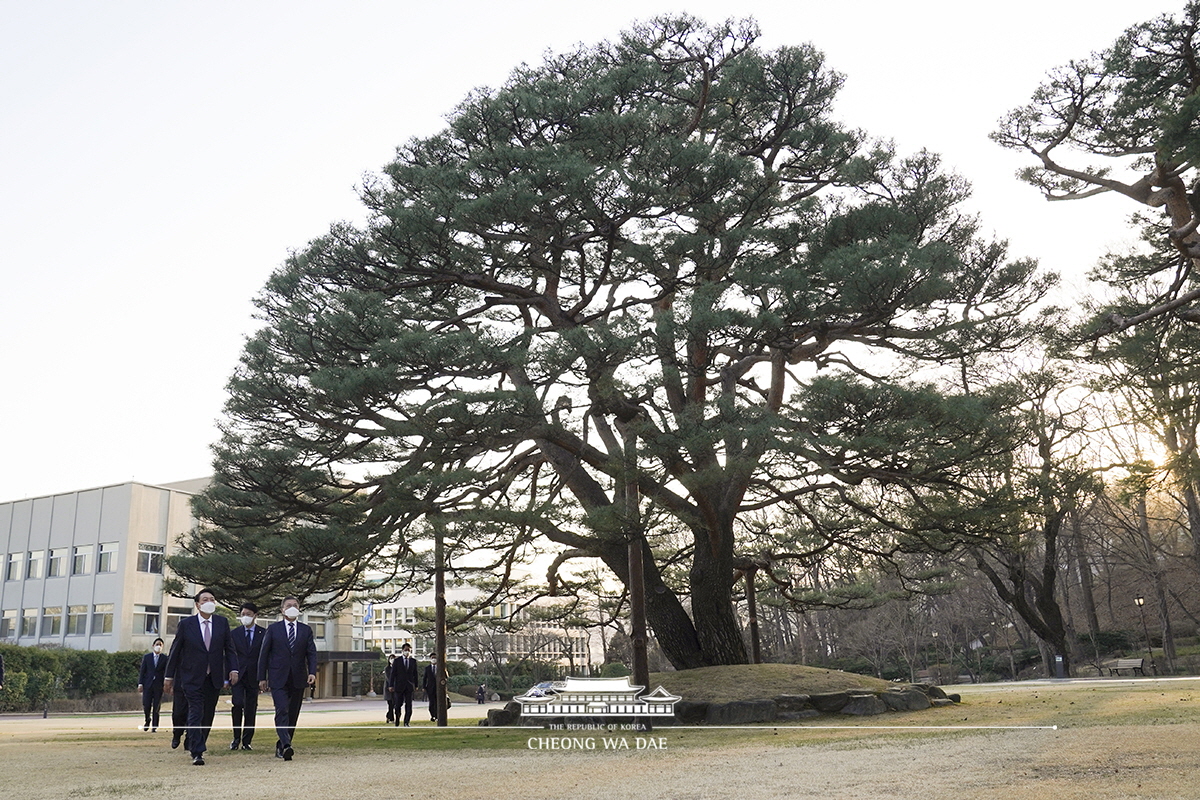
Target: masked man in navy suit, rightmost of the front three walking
x,y
287,665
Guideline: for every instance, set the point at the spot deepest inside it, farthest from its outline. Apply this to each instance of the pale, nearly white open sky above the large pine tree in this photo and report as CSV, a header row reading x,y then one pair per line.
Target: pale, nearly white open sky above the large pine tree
x,y
160,160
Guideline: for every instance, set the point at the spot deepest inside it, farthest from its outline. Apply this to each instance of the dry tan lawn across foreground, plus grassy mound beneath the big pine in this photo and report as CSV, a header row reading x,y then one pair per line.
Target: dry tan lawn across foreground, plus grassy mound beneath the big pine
x,y
1096,741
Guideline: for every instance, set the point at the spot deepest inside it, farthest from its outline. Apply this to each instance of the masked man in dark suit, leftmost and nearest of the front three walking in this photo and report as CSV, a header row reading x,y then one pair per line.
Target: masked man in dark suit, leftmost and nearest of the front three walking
x,y
202,659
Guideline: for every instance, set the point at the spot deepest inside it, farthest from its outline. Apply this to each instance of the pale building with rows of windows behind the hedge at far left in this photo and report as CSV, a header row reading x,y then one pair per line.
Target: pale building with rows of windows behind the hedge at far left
x,y
85,570
